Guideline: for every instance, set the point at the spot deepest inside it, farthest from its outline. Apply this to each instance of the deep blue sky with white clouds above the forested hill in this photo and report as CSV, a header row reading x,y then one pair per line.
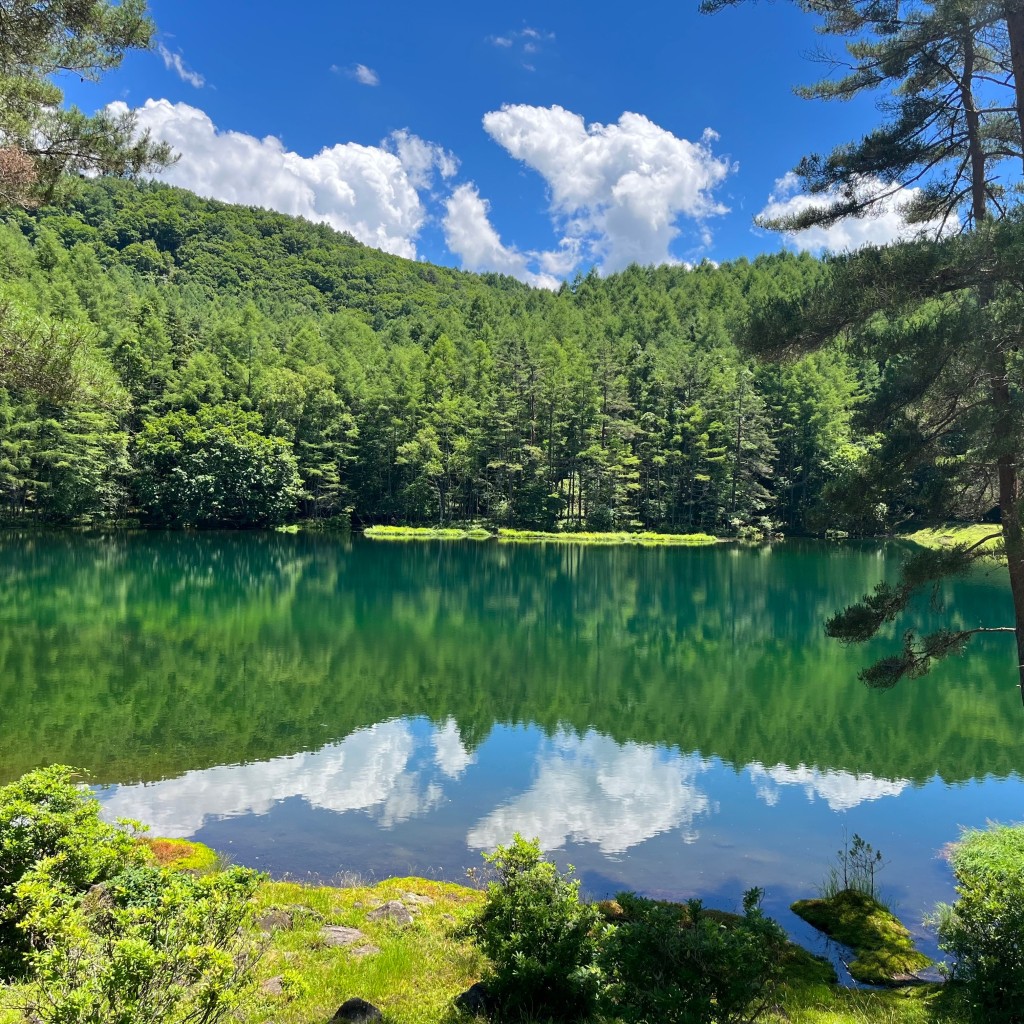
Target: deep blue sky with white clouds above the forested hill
x,y
534,140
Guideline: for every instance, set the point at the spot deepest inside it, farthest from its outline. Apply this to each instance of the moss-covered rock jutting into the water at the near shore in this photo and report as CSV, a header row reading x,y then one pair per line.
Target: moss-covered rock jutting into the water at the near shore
x,y
884,950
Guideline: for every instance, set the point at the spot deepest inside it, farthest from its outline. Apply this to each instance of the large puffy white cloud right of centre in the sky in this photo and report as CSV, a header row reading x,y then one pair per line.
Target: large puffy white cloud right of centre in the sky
x,y
618,191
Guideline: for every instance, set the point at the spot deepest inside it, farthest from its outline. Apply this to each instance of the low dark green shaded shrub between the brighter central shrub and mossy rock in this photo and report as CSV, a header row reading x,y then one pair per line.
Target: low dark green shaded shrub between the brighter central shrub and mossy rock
x,y
682,965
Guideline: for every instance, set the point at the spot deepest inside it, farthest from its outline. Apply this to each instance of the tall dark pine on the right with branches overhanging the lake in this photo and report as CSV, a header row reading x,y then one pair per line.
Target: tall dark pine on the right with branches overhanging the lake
x,y
941,317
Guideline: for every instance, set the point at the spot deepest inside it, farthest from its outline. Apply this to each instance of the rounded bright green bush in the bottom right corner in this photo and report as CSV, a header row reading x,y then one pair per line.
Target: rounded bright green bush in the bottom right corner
x,y
985,929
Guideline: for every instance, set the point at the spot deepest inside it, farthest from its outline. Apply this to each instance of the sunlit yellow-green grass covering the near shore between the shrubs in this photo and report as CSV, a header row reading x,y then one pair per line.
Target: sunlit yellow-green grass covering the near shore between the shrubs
x,y
420,969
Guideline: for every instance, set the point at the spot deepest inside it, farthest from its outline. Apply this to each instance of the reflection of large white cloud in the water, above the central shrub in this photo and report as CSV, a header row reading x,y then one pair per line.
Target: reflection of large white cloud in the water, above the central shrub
x,y
592,790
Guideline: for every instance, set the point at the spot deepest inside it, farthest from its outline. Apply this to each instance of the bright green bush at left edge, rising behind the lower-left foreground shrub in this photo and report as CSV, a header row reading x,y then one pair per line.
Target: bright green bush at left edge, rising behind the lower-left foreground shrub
x,y
48,817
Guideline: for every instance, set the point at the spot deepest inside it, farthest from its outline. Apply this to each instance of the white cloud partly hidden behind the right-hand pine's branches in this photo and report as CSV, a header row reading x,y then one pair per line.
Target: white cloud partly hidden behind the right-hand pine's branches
x,y
884,226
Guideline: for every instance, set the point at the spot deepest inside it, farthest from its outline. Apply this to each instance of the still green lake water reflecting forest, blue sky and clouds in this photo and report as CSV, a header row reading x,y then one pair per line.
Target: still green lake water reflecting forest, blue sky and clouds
x,y
671,721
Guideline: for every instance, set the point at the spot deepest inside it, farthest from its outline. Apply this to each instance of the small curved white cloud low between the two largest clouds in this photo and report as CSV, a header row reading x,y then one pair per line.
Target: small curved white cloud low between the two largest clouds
x,y
470,234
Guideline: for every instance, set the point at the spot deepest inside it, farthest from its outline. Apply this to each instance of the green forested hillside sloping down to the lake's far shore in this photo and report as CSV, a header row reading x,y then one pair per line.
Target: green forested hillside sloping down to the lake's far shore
x,y
192,363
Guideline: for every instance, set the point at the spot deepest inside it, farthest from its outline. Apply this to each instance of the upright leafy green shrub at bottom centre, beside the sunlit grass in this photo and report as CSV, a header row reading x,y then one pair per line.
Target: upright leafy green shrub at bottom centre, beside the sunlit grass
x,y
542,942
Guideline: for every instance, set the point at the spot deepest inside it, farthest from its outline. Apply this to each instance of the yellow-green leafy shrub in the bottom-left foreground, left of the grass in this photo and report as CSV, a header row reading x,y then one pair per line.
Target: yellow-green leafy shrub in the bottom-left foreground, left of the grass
x,y
149,947
